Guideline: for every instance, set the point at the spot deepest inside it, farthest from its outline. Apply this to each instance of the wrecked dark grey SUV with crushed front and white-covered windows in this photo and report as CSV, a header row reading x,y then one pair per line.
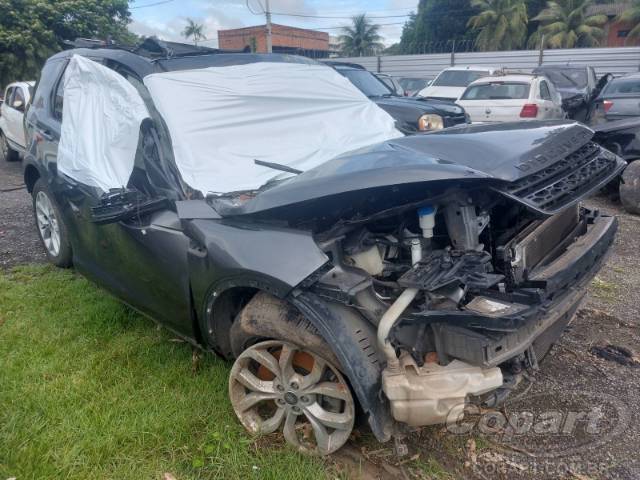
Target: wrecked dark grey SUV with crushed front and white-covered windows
x,y
263,208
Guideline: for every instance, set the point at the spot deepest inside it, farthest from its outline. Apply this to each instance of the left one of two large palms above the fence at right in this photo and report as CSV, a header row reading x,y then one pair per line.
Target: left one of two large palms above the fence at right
x,y
501,24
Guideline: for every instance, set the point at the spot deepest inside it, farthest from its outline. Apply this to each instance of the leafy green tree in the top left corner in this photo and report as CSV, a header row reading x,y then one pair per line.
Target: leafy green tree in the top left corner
x,y
33,30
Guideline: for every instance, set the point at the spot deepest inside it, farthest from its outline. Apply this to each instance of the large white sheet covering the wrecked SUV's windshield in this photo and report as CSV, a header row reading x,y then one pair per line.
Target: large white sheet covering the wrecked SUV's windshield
x,y
223,118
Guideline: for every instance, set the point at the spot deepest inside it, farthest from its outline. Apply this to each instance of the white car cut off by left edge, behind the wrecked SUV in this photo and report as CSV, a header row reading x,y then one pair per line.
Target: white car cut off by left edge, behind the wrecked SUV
x,y
16,97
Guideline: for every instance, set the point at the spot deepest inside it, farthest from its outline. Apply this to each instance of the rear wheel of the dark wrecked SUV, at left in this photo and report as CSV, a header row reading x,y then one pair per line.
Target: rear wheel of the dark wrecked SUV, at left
x,y
51,228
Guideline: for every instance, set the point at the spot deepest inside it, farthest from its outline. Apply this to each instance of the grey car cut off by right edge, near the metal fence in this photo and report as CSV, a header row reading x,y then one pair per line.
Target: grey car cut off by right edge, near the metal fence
x,y
619,100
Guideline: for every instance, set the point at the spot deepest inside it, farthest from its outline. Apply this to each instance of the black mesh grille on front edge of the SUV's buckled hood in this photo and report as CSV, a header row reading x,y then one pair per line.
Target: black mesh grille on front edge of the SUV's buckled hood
x,y
566,181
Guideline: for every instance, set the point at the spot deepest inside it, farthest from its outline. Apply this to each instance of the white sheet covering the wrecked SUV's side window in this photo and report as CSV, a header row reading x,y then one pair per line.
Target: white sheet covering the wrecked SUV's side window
x,y
101,118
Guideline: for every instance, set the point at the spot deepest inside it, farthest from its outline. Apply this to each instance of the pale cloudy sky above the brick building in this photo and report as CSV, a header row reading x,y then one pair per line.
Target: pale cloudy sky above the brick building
x,y
167,18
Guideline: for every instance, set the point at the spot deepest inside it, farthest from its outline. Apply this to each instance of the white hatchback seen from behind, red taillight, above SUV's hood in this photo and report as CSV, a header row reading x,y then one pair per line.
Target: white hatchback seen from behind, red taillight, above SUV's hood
x,y
511,98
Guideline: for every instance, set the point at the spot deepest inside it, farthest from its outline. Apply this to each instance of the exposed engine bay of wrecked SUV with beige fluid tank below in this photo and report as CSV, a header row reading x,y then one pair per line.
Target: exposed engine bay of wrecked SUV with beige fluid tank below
x,y
460,292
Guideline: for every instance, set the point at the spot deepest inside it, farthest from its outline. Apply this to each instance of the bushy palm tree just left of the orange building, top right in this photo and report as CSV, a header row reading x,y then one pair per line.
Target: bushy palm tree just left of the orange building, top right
x,y
565,24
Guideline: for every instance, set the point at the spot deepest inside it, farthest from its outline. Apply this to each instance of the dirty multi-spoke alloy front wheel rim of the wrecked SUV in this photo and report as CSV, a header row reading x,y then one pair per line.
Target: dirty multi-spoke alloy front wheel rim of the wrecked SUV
x,y
276,385
